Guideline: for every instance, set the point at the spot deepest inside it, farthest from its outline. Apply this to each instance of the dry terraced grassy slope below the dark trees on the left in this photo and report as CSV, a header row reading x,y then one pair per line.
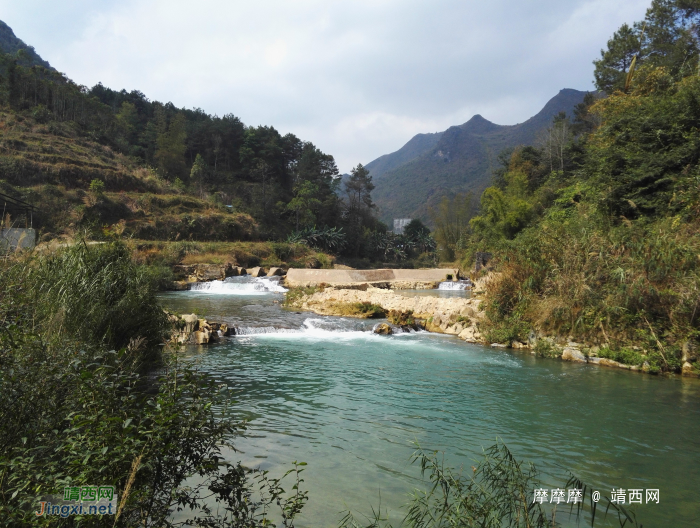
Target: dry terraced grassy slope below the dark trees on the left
x,y
52,165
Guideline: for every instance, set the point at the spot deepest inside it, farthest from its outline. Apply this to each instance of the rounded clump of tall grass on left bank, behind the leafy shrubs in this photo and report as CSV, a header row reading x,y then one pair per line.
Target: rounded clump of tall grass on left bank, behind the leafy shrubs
x,y
97,294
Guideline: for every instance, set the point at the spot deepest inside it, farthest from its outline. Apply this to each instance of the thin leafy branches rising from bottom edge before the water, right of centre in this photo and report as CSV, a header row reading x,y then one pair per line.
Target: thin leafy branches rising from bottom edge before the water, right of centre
x,y
497,494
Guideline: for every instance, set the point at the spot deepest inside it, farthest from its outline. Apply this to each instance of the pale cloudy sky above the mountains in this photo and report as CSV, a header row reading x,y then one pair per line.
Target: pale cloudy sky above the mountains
x,y
357,78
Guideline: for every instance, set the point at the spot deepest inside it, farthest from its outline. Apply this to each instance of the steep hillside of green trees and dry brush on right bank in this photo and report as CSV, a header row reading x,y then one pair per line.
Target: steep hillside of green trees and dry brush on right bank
x,y
603,248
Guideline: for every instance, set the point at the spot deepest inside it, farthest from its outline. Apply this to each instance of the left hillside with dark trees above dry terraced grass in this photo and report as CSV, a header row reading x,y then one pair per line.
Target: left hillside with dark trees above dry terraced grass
x,y
96,158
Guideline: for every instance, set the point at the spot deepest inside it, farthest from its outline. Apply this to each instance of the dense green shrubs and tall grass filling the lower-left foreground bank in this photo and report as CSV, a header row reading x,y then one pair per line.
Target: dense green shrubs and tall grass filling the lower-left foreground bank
x,y
78,413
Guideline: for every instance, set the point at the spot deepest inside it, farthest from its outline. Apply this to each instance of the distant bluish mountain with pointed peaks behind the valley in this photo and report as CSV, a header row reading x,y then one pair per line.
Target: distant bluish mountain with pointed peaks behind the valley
x,y
430,166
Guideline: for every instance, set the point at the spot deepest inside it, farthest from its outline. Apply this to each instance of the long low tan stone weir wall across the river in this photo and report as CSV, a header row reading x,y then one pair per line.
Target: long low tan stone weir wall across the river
x,y
396,279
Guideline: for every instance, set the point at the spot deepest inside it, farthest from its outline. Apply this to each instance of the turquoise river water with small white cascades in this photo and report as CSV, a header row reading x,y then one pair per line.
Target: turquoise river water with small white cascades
x,y
350,403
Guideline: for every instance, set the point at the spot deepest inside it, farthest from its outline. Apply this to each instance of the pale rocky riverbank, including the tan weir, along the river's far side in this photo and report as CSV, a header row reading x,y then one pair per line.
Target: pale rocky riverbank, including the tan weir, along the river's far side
x,y
373,293
